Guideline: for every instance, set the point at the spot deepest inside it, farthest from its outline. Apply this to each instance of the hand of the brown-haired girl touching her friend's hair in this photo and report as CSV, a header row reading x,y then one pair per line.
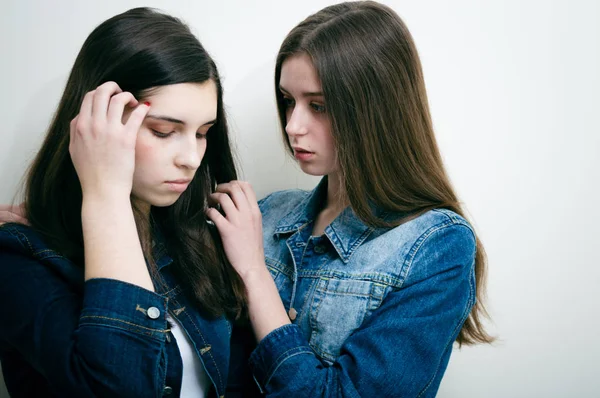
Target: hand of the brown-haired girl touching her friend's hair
x,y
240,225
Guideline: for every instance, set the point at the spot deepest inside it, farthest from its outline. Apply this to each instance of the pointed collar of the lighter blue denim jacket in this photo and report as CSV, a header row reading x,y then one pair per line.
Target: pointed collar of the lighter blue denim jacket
x,y
345,233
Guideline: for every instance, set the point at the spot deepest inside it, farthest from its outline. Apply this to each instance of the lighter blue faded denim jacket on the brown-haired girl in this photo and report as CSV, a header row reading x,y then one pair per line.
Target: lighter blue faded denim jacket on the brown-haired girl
x,y
377,309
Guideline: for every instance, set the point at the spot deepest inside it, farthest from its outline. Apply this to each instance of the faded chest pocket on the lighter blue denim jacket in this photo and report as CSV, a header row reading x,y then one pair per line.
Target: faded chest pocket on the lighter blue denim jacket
x,y
339,307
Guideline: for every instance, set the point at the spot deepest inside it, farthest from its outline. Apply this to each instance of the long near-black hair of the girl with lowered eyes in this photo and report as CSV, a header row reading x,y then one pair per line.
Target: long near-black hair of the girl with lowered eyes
x,y
141,49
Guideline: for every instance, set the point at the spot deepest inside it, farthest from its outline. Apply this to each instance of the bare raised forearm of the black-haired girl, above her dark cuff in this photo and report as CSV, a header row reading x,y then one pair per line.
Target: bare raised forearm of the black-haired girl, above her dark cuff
x,y
111,242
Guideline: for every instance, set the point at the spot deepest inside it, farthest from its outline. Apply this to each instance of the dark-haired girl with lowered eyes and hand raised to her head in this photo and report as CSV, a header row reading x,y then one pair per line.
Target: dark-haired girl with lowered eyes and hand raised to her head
x,y
119,287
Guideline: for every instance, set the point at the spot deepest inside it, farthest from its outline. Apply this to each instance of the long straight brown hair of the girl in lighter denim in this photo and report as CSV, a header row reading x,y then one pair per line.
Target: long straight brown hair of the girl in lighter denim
x,y
374,91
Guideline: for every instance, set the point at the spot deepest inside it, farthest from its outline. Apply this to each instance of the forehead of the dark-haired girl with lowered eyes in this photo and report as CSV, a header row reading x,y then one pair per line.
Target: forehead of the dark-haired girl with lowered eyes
x,y
193,103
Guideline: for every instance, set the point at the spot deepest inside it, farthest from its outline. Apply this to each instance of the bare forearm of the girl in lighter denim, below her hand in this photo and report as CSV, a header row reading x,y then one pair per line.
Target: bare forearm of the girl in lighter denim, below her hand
x,y
266,310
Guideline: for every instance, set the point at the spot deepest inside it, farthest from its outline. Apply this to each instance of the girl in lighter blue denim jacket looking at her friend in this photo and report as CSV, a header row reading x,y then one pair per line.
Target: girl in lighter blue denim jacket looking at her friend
x,y
372,276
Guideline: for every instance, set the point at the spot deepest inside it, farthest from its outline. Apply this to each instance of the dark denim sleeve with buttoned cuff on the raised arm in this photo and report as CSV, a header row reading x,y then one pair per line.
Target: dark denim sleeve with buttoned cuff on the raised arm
x,y
106,344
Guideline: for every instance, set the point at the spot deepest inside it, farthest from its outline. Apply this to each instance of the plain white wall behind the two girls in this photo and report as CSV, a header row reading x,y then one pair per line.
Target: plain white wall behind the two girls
x,y
514,89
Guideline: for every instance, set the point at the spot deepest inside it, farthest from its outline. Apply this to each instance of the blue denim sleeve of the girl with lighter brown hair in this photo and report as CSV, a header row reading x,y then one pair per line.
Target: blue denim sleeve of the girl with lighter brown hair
x,y
402,348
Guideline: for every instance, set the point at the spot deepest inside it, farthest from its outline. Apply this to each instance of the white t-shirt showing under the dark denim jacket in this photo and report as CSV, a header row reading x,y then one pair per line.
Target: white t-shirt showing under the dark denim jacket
x,y
195,381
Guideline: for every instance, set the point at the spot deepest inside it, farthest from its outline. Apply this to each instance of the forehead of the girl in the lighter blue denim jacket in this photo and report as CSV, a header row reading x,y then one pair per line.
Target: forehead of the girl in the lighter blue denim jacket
x,y
298,72
